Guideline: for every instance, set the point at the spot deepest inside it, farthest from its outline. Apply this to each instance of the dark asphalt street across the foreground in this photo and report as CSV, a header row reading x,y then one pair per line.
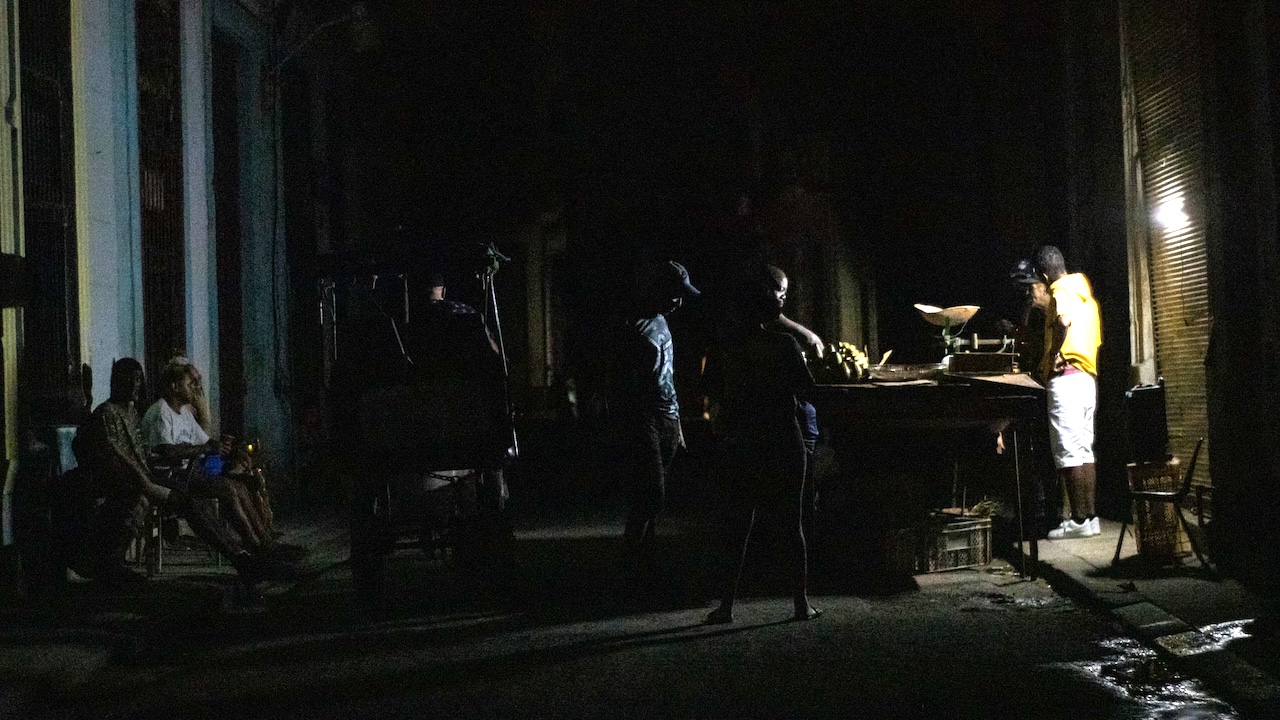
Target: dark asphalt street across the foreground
x,y
570,636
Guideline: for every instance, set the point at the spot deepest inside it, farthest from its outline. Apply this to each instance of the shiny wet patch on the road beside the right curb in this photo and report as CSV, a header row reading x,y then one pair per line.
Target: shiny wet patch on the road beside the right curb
x,y
1148,686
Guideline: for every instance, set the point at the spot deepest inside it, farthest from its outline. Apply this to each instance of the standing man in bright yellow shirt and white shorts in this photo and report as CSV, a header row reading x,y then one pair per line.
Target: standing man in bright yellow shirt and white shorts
x,y
1073,332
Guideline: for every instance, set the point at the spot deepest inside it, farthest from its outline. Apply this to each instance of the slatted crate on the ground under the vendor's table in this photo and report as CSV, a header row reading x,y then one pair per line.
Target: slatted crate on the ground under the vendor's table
x,y
941,544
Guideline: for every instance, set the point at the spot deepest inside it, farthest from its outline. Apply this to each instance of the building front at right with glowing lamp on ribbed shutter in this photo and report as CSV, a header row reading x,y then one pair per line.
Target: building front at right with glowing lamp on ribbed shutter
x,y
1174,116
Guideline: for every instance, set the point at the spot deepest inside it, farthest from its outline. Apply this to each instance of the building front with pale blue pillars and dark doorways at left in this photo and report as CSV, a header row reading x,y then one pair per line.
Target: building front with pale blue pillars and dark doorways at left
x,y
145,209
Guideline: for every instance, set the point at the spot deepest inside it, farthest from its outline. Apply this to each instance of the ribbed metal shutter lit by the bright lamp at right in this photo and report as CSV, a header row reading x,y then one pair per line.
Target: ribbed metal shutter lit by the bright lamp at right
x,y
1164,56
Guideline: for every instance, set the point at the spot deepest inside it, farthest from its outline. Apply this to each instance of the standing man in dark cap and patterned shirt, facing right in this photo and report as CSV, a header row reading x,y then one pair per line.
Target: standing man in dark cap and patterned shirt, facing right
x,y
643,405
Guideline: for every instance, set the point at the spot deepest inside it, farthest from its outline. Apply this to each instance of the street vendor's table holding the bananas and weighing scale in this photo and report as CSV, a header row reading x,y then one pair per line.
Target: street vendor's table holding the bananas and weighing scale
x,y
1012,404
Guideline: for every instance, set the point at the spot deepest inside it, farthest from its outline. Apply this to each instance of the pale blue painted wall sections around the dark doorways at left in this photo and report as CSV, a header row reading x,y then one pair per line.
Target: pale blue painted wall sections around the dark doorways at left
x,y
106,92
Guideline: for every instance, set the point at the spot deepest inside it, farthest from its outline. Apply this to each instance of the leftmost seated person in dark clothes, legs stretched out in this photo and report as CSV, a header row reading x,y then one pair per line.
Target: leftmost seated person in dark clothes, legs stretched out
x,y
120,471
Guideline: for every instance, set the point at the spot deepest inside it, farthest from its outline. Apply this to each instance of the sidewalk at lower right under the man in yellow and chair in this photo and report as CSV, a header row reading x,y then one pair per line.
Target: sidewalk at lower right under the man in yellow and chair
x,y
1197,621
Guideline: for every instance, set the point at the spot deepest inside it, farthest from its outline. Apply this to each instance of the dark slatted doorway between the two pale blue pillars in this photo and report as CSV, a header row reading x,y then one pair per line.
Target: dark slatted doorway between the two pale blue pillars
x,y
164,279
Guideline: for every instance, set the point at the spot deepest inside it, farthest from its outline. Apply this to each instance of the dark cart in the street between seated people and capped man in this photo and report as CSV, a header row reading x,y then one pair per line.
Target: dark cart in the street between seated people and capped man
x,y
420,421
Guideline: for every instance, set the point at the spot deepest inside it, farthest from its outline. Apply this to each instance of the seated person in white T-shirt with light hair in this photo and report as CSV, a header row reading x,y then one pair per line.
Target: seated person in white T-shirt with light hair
x,y
175,438
